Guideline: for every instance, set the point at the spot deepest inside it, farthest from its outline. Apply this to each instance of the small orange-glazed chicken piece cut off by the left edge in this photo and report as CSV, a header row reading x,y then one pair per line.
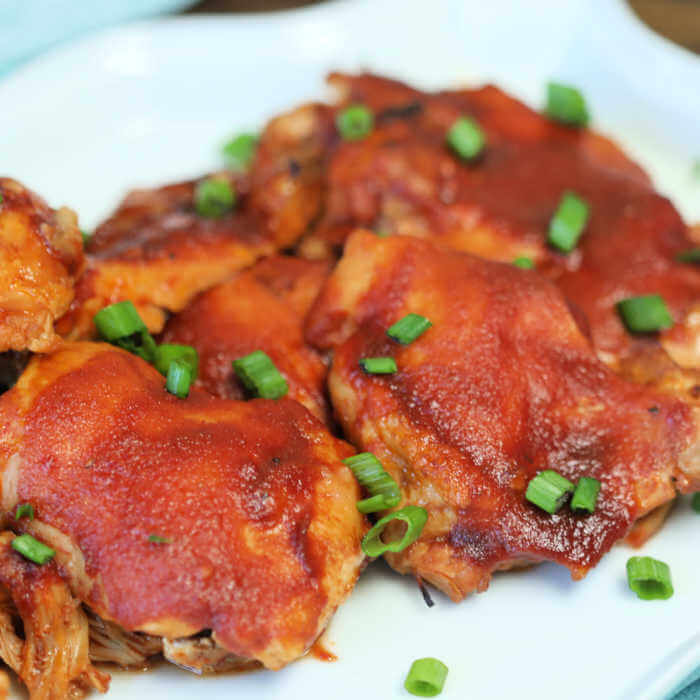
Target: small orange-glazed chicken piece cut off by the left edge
x,y
41,253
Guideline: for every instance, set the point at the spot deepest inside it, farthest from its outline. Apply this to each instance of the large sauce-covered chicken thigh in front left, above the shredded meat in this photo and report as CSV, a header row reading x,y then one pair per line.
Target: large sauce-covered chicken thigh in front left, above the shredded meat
x,y
264,536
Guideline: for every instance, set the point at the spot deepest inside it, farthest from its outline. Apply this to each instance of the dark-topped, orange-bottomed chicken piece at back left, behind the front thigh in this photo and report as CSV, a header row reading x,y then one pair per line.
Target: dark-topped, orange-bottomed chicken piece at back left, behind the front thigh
x,y
158,252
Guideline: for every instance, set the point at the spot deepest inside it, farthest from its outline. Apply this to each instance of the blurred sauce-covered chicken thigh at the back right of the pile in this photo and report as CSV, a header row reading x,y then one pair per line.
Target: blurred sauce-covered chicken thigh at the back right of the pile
x,y
403,178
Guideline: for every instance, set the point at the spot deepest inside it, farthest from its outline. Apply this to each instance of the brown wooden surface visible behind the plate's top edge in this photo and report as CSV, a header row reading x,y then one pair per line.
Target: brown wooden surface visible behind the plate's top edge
x,y
678,20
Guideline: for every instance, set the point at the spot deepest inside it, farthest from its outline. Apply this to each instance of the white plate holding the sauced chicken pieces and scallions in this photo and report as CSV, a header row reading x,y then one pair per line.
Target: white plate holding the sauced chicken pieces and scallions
x,y
153,101
